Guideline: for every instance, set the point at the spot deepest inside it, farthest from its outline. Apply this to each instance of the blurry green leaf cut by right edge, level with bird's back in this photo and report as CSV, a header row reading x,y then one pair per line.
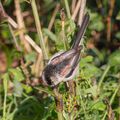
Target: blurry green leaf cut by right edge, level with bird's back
x,y
114,58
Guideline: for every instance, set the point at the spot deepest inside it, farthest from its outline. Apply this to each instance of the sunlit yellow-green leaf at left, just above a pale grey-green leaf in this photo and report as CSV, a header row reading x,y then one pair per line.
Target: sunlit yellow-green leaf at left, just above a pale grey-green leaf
x,y
17,74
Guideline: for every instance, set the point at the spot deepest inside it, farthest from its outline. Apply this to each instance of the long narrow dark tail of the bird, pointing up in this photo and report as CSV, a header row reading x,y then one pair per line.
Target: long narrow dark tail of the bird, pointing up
x,y
81,30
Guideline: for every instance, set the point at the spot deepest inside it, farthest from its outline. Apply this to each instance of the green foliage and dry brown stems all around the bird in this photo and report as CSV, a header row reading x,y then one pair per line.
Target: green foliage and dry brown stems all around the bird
x,y
31,31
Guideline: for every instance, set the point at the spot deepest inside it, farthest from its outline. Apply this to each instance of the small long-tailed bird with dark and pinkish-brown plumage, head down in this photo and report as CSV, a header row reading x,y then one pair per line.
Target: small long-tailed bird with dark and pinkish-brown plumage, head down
x,y
63,66
